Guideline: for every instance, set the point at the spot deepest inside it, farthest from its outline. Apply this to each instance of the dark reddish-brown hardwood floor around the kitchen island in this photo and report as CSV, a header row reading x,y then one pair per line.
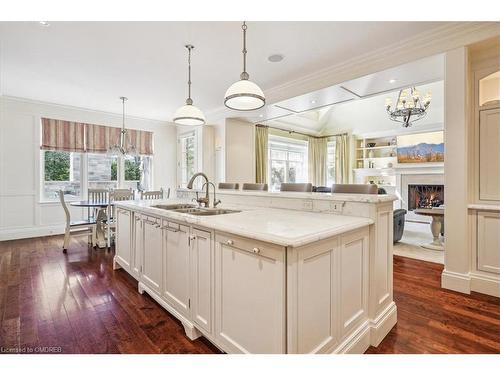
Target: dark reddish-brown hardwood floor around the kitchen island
x,y
76,303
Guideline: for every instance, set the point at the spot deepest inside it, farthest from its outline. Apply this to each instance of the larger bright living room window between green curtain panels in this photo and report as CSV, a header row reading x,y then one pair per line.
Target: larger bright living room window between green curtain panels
x,y
287,161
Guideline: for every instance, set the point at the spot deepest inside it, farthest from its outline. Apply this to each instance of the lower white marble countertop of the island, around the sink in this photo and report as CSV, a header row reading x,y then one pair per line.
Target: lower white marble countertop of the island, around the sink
x,y
278,226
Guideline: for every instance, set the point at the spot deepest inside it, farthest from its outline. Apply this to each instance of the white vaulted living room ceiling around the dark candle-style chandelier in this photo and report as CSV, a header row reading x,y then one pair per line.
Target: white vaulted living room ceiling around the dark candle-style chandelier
x,y
358,105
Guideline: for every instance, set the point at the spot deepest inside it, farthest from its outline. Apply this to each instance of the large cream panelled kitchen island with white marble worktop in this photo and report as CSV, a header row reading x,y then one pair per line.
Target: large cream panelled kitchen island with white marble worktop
x,y
264,280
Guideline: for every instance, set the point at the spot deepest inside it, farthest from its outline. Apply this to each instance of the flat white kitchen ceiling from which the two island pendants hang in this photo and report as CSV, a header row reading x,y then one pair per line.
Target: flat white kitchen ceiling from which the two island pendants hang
x,y
91,64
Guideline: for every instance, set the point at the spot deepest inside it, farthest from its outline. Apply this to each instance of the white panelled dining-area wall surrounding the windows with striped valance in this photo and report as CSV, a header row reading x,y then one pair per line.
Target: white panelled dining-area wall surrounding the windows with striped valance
x,y
21,212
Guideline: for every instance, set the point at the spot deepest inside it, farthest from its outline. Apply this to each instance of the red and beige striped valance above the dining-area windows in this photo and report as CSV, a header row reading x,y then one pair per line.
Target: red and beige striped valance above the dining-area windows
x,y
79,137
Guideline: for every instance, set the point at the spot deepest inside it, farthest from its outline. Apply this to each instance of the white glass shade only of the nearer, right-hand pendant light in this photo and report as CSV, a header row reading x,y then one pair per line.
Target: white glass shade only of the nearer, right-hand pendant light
x,y
244,95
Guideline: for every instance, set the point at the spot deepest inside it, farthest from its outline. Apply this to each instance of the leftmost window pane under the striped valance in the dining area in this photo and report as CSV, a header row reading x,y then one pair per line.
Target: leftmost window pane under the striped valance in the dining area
x,y
61,171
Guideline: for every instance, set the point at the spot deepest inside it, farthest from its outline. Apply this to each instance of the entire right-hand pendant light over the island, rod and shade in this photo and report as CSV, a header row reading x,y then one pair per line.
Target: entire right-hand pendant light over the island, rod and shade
x,y
244,95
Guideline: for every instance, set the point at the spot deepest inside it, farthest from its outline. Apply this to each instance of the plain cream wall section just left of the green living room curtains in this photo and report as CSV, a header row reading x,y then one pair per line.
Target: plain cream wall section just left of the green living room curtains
x,y
239,151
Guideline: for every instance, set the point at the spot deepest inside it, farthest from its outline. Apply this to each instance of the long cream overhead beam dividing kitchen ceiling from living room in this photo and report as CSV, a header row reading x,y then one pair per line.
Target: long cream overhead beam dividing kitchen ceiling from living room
x,y
437,40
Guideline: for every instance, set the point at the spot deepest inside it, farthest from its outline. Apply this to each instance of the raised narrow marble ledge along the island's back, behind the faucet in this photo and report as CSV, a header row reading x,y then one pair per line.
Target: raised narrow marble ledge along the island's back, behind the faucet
x,y
365,198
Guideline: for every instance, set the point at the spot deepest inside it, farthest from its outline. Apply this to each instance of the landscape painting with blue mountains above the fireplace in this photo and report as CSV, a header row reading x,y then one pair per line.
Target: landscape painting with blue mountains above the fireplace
x,y
421,148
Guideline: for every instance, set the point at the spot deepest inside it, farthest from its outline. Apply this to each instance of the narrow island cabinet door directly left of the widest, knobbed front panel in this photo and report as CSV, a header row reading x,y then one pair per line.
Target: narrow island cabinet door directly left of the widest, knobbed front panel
x,y
202,279
